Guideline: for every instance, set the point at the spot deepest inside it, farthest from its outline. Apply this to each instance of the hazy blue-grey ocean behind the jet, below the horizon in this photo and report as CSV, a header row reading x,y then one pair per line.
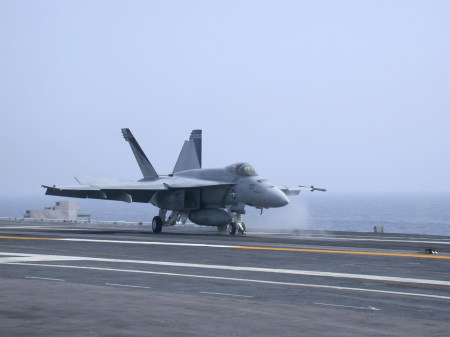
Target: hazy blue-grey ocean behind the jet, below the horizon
x,y
397,213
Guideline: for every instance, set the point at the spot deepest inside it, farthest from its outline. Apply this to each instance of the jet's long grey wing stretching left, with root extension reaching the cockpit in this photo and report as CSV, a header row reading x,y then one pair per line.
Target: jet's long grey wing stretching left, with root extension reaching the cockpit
x,y
141,191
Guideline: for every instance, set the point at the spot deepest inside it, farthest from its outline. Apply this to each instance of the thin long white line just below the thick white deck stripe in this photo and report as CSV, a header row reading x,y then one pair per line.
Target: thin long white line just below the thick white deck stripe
x,y
243,280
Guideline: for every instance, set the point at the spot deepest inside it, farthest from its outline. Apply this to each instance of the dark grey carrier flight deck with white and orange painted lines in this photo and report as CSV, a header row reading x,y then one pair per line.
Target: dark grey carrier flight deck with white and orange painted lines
x,y
113,280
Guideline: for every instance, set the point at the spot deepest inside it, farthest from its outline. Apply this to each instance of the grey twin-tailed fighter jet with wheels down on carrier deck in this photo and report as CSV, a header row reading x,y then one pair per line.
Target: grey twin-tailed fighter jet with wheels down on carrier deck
x,y
209,197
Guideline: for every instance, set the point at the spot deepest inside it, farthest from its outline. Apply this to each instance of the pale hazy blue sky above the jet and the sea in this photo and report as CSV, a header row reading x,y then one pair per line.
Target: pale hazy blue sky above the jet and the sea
x,y
353,96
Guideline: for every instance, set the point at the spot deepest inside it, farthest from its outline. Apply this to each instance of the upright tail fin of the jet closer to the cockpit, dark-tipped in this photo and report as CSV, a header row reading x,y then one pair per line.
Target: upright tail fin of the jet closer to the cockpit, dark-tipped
x,y
190,157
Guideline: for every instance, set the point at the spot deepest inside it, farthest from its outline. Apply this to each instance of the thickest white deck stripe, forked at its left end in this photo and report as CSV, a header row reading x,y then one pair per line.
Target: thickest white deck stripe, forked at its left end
x,y
46,258
